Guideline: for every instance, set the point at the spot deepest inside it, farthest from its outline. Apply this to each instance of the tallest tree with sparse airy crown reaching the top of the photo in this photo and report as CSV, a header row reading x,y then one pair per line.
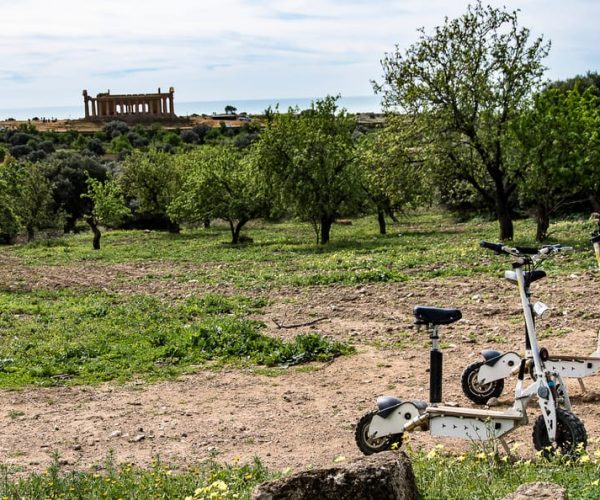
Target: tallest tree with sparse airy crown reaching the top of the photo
x,y
469,79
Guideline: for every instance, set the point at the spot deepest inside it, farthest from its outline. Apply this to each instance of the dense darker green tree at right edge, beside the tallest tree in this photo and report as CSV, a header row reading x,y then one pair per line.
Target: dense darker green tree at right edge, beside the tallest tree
x,y
560,150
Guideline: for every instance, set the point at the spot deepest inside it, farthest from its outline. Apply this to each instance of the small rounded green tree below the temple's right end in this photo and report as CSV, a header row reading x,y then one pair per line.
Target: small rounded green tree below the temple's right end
x,y
153,179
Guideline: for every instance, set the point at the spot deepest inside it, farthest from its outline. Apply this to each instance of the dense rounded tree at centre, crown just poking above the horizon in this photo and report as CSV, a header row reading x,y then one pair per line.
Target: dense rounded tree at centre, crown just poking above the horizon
x,y
309,159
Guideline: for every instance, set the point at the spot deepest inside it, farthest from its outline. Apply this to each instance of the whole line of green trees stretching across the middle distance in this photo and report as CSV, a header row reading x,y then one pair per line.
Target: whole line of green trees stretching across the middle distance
x,y
470,124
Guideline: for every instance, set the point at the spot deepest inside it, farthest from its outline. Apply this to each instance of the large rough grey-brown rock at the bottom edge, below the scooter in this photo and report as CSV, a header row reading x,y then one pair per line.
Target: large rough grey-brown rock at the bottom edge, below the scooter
x,y
383,476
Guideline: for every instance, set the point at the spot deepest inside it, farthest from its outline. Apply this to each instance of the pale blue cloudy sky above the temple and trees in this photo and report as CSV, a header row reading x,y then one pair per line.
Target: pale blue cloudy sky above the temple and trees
x,y
242,49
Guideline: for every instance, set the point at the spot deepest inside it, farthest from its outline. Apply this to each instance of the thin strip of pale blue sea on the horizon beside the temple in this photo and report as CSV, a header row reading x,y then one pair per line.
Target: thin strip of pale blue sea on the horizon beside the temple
x,y
354,104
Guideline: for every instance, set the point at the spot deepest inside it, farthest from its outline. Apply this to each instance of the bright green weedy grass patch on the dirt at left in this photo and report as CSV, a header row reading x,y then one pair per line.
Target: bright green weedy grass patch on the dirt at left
x,y
58,337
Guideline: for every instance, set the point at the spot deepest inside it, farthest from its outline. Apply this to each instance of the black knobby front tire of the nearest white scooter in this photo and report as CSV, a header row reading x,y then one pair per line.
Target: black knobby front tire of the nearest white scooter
x,y
570,432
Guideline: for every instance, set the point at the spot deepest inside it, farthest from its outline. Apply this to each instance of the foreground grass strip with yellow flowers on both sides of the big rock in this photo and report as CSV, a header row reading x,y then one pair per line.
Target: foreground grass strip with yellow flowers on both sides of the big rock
x,y
439,475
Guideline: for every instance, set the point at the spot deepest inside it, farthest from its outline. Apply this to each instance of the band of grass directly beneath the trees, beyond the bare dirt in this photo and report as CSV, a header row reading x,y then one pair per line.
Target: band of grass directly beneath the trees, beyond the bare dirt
x,y
425,245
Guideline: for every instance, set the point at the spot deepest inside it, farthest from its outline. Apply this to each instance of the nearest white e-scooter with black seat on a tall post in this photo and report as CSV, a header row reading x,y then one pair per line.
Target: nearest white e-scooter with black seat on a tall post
x,y
555,429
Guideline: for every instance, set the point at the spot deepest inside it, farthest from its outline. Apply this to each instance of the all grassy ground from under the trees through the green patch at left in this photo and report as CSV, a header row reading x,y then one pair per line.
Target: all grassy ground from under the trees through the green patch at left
x,y
61,322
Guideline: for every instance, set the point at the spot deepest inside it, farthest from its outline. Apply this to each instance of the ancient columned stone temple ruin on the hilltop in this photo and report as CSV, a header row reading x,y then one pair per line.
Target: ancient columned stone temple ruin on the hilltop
x,y
129,106
